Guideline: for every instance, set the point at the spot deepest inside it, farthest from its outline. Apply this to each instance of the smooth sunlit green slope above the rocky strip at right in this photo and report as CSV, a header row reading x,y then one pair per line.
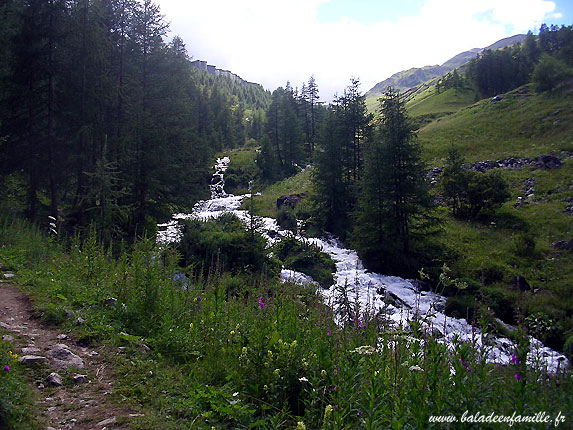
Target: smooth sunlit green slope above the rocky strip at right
x,y
523,124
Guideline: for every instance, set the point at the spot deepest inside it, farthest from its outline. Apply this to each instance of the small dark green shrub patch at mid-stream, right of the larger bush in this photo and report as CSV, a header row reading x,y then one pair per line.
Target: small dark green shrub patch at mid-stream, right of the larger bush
x,y
306,258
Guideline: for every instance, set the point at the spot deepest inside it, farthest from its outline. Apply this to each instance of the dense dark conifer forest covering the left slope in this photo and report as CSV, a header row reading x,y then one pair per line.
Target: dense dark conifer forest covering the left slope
x,y
122,121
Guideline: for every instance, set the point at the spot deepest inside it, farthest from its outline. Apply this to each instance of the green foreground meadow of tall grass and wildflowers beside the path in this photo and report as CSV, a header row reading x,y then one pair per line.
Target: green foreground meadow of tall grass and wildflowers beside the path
x,y
264,356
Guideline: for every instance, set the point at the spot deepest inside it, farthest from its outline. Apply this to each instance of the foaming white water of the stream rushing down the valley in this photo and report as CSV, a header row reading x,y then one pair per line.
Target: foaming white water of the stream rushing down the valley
x,y
365,285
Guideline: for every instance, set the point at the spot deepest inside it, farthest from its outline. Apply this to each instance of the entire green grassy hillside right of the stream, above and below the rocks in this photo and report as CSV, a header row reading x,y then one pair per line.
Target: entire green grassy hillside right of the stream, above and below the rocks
x,y
512,241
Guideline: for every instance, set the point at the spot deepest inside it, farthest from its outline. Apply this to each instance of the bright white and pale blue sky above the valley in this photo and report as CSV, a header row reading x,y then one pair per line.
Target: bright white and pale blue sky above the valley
x,y
271,42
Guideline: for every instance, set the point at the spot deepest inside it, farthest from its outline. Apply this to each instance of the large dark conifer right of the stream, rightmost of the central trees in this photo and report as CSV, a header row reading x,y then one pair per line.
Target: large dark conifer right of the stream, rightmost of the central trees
x,y
394,201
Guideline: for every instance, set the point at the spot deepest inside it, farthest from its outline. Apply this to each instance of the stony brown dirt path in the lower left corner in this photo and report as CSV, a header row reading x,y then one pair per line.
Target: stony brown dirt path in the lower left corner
x,y
83,401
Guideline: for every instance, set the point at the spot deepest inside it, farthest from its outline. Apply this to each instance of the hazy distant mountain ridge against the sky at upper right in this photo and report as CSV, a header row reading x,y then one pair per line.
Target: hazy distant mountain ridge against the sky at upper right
x,y
407,79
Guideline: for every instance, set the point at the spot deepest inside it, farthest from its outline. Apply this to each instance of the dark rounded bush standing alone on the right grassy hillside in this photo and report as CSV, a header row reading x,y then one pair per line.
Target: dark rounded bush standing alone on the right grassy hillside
x,y
467,192
